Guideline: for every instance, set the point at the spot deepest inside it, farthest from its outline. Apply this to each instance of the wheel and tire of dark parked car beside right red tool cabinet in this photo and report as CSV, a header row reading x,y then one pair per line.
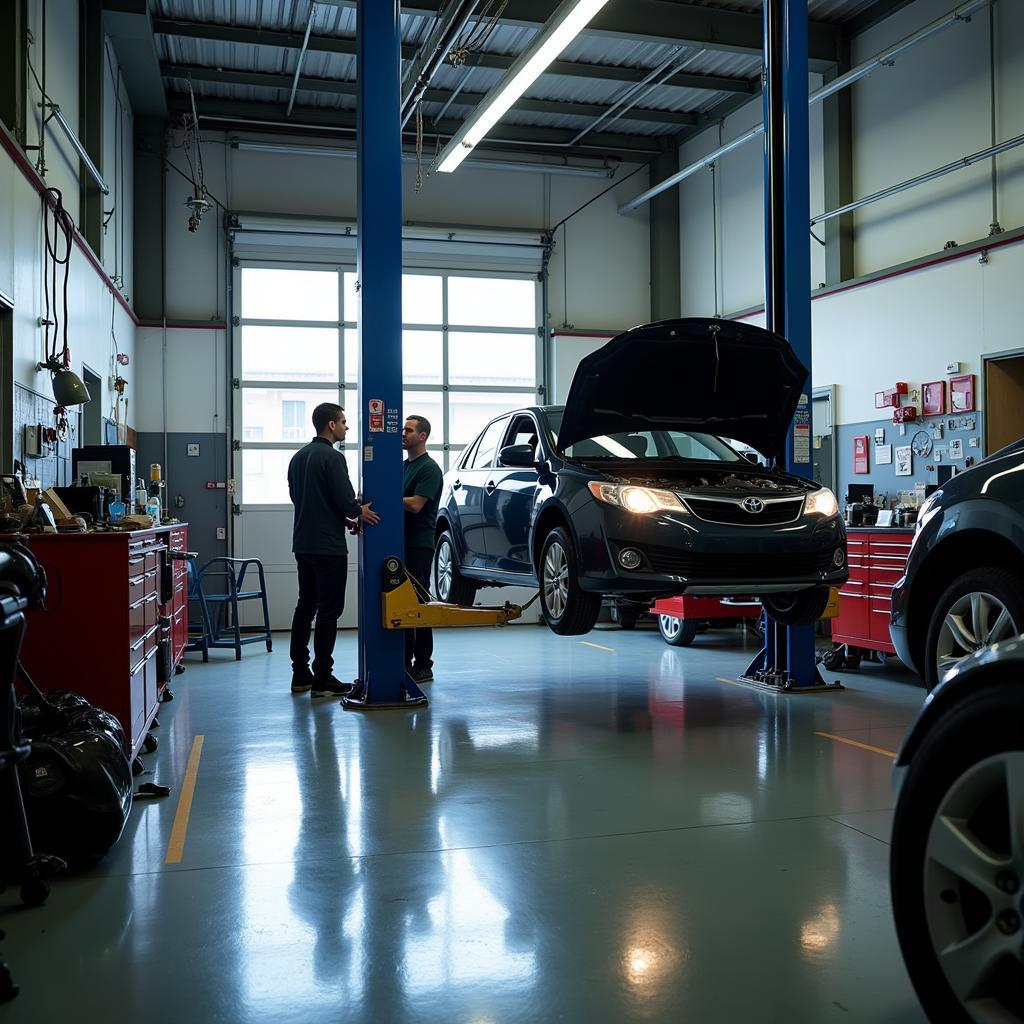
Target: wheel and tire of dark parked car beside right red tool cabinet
x,y
1000,591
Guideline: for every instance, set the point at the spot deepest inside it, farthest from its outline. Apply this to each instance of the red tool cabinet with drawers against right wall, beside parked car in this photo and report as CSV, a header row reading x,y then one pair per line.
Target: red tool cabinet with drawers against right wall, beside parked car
x,y
878,560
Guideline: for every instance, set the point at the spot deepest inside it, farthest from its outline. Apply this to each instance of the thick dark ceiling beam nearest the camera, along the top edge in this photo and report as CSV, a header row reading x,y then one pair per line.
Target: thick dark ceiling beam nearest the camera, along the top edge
x,y
664,22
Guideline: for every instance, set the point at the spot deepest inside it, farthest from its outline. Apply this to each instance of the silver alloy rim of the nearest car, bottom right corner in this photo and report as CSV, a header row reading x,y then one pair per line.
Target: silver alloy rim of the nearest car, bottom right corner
x,y
974,868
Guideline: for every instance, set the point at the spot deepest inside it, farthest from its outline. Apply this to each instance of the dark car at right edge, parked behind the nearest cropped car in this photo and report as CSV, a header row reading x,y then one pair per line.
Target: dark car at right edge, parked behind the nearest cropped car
x,y
964,586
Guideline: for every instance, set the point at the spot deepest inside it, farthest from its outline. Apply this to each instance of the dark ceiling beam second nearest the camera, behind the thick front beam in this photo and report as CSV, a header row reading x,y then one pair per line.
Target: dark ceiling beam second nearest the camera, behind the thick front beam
x,y
498,62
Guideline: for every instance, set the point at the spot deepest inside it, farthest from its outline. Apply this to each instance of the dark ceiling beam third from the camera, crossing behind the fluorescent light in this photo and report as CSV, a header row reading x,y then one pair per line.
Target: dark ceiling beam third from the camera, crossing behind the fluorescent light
x,y
335,88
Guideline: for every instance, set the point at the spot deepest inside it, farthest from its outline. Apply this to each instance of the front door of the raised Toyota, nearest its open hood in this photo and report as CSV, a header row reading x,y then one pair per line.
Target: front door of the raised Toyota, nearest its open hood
x,y
508,503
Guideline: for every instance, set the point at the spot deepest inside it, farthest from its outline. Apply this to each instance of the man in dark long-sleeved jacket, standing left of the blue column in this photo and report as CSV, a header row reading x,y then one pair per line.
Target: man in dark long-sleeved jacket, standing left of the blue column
x,y
324,500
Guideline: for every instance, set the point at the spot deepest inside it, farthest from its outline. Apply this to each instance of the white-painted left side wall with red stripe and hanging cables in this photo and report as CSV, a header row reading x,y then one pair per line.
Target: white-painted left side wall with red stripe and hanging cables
x,y
22,244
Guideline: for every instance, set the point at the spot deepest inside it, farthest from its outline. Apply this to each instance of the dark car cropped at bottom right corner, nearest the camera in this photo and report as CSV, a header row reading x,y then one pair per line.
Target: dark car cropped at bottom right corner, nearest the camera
x,y
957,851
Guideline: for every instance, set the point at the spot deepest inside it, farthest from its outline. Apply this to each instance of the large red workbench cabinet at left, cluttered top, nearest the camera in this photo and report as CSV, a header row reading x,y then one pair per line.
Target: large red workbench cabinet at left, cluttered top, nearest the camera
x,y
100,632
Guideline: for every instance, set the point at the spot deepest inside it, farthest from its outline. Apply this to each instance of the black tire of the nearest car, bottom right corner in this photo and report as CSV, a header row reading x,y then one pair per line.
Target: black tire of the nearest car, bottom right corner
x,y
954,808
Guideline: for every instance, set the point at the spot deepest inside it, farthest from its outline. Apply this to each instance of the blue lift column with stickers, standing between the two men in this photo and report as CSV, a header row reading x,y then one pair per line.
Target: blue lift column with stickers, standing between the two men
x,y
382,681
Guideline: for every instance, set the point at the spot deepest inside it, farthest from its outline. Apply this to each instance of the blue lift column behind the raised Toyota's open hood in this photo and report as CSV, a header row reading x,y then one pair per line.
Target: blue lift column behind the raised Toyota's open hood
x,y
788,662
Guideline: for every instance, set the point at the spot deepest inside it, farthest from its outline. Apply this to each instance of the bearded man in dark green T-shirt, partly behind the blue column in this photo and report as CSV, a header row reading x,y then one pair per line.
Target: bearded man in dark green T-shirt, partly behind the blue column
x,y
422,493
